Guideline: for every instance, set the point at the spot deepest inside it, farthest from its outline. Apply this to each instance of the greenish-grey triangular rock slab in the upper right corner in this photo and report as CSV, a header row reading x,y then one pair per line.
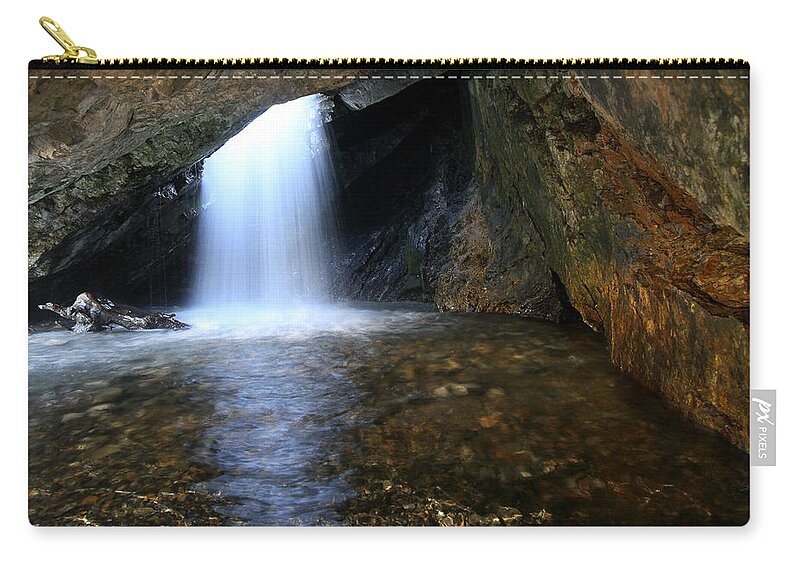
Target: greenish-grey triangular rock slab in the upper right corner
x,y
699,135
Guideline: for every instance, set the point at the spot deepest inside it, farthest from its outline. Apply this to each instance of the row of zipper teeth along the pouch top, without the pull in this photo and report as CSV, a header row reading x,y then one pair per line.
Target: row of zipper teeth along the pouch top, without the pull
x,y
364,62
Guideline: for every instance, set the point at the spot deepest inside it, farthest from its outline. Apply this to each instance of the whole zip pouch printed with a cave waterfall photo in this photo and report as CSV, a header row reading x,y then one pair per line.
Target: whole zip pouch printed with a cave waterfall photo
x,y
382,292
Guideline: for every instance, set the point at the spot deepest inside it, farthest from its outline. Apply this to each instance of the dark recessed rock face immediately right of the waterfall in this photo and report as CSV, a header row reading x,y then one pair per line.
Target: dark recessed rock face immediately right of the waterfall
x,y
413,222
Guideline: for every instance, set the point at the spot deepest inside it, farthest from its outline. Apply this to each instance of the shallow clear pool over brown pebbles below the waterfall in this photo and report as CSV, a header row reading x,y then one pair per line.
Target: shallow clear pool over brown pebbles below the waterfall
x,y
389,414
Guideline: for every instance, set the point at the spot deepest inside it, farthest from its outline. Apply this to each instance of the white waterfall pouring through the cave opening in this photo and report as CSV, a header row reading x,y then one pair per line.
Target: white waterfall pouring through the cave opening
x,y
264,234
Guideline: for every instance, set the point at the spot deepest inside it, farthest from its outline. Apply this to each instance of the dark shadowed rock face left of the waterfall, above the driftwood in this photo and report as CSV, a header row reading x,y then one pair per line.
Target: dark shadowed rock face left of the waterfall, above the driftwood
x,y
141,250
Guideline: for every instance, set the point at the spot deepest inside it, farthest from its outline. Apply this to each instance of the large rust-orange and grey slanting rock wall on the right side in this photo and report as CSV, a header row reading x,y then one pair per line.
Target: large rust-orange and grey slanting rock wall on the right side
x,y
635,195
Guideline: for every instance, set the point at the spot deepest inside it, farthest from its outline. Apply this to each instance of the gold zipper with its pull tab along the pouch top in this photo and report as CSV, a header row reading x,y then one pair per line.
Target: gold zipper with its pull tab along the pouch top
x,y
75,55
